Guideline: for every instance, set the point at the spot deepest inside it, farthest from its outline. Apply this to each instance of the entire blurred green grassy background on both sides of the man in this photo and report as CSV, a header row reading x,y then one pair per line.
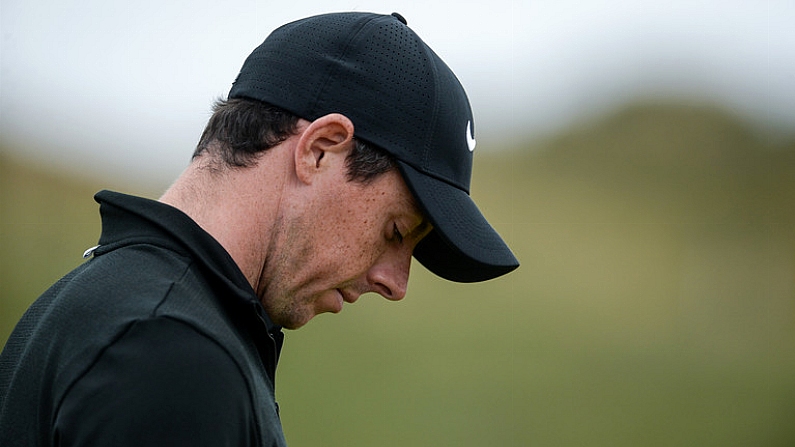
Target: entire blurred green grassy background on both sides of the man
x,y
655,304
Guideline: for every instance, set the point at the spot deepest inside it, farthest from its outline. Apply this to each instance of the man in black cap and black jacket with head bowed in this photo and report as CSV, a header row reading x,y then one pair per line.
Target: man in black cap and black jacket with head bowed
x,y
344,148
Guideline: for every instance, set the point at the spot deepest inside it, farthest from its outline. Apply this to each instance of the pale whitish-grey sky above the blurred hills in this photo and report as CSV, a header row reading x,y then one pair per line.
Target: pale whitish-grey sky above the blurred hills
x,y
125,88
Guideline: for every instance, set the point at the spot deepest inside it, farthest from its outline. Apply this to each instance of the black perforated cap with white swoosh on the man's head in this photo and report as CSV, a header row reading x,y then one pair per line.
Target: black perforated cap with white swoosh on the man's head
x,y
401,97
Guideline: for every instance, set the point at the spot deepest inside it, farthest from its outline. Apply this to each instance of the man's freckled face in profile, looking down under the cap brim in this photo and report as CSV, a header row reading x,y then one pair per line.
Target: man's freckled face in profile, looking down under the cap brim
x,y
350,238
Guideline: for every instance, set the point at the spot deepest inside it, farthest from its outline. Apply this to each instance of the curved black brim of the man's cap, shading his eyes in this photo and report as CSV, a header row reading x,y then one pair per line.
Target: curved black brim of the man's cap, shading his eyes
x,y
463,246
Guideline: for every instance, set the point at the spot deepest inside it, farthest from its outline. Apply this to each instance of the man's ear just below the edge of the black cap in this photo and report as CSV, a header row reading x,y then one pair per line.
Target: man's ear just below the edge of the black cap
x,y
331,134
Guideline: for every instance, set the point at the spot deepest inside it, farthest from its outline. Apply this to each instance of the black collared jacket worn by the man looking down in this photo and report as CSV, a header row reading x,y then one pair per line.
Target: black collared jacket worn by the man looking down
x,y
157,340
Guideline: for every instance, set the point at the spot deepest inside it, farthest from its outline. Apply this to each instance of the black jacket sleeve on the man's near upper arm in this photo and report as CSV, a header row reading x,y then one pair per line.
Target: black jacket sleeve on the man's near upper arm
x,y
161,383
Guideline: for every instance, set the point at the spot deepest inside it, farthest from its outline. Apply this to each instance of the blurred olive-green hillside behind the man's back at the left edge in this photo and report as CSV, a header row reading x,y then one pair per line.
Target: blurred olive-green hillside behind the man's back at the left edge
x,y
46,221
